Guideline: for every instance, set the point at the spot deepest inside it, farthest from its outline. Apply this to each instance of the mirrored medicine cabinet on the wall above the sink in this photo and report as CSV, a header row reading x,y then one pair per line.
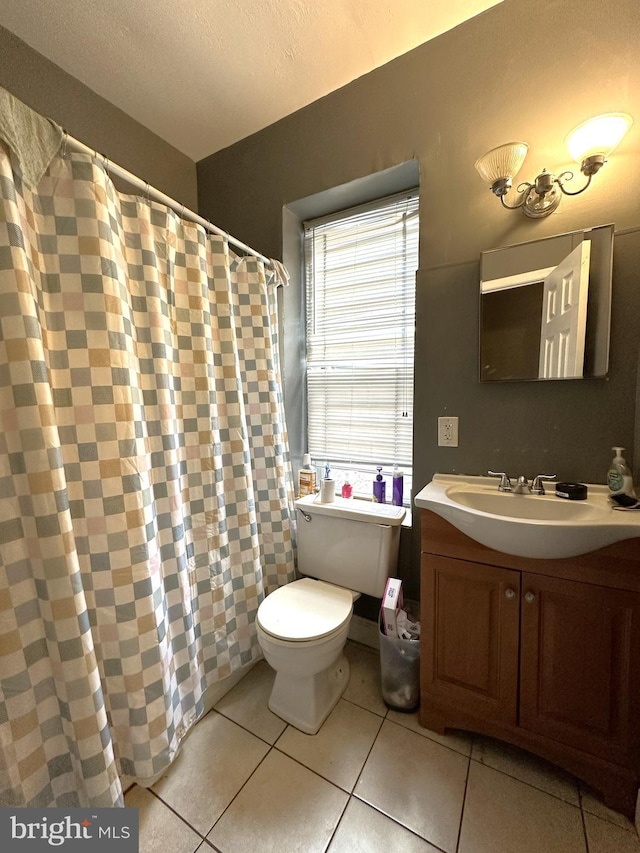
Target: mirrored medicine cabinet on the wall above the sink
x,y
545,308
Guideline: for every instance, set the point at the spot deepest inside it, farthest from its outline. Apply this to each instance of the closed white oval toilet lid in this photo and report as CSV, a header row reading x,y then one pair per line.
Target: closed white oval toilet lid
x,y
305,610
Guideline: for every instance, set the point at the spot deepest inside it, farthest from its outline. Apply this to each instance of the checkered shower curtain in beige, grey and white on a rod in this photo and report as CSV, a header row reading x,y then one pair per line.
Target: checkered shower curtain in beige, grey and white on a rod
x,y
145,485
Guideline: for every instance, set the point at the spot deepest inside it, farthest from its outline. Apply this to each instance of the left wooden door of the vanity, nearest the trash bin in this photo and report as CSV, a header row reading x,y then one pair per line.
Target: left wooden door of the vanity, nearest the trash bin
x,y
470,625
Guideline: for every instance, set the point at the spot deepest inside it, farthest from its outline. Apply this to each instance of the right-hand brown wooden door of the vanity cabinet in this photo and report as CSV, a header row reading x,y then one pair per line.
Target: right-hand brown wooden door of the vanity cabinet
x,y
580,659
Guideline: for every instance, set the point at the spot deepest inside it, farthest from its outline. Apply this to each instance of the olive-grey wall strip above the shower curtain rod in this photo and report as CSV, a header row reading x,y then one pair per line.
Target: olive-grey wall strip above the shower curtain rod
x,y
52,92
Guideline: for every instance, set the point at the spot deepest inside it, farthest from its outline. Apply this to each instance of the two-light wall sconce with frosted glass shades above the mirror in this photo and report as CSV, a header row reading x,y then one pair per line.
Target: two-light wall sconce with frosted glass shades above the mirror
x,y
589,144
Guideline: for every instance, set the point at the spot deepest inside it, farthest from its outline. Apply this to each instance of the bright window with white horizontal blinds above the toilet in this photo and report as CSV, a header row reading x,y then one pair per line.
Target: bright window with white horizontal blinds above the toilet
x,y
360,268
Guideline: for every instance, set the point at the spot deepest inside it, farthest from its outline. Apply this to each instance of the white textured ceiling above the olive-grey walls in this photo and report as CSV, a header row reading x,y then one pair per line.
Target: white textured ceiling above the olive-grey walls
x,y
202,74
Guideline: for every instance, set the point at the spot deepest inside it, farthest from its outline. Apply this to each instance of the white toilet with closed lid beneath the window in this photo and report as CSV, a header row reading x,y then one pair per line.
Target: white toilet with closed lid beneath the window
x,y
345,548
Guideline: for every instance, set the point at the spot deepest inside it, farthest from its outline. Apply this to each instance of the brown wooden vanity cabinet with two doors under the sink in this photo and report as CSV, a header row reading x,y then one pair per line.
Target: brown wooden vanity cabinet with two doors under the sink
x,y
544,654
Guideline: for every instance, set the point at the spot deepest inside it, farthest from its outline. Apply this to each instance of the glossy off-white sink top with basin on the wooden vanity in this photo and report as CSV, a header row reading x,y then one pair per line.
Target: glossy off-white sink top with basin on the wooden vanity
x,y
539,526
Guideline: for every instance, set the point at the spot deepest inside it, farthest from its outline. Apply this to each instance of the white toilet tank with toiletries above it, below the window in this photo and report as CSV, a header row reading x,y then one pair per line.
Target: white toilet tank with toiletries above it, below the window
x,y
350,543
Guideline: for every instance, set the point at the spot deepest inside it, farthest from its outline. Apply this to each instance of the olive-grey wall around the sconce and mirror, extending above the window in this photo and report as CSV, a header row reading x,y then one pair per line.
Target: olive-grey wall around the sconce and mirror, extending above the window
x,y
522,70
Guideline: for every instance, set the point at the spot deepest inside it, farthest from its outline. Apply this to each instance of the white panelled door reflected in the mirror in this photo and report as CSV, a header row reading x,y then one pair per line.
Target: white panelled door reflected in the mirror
x,y
564,313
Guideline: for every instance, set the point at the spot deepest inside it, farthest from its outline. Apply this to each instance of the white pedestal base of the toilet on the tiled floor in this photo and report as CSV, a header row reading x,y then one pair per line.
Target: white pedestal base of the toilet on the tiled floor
x,y
305,703
